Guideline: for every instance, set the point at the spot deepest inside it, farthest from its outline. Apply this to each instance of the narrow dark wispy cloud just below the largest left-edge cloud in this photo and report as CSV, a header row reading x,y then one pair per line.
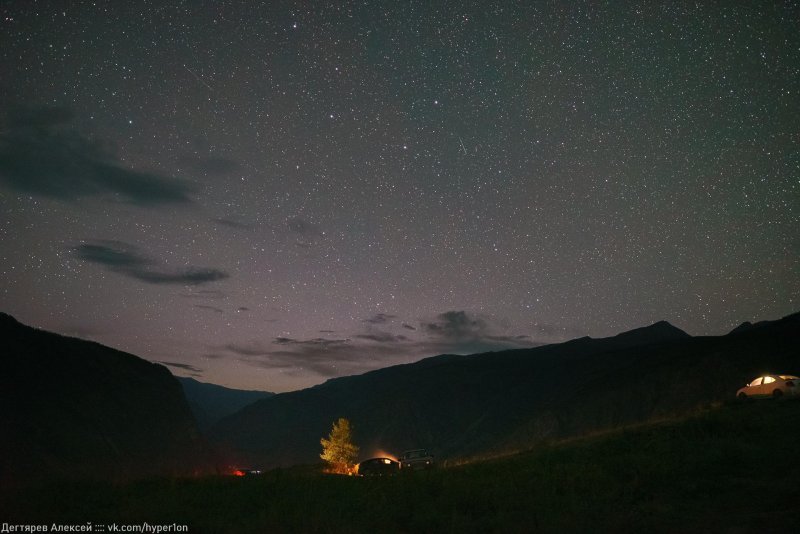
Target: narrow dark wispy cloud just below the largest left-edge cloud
x,y
125,259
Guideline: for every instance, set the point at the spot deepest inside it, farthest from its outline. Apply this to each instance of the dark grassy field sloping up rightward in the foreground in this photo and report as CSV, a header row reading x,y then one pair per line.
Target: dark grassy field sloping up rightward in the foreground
x,y
731,468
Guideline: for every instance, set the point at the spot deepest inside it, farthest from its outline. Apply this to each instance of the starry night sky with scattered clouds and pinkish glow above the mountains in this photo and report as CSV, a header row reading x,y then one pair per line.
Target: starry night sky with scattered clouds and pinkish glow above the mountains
x,y
267,196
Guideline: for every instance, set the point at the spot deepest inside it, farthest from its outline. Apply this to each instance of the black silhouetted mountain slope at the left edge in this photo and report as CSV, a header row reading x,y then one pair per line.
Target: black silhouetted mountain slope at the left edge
x,y
73,408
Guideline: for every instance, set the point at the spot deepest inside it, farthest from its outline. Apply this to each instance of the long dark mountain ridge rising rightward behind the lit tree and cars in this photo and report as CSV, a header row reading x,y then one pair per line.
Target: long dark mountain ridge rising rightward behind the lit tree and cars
x,y
465,405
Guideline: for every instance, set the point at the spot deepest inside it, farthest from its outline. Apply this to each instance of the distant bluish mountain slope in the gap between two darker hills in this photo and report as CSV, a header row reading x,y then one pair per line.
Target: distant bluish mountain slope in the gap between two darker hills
x,y
210,403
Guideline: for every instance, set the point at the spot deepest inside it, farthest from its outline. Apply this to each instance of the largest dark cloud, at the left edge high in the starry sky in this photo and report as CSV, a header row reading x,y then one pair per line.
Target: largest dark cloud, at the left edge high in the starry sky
x,y
40,155
